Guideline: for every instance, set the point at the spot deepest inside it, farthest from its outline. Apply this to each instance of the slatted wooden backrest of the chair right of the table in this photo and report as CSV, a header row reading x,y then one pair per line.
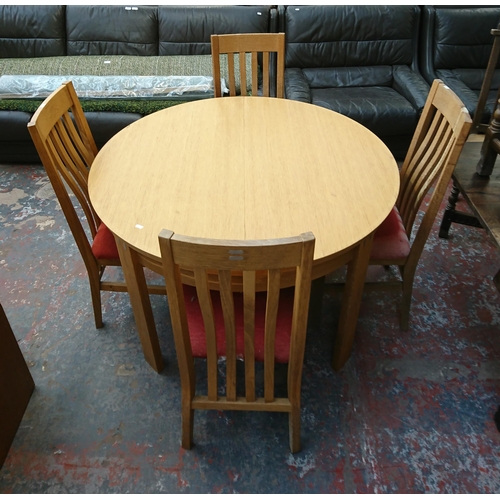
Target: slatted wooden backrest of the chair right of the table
x,y
433,153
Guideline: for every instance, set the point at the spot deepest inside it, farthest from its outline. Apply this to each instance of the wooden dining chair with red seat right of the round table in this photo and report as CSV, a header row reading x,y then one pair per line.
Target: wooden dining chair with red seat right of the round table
x,y
435,148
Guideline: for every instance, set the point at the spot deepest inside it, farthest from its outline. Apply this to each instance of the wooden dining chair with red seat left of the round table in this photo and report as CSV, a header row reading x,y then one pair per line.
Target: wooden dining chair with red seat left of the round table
x,y
67,149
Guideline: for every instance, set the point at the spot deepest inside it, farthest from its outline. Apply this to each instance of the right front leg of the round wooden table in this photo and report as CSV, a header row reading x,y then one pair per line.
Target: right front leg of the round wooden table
x,y
351,301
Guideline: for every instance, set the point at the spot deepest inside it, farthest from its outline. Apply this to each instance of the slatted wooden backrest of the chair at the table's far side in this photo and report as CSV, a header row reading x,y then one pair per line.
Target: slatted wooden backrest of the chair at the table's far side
x,y
253,43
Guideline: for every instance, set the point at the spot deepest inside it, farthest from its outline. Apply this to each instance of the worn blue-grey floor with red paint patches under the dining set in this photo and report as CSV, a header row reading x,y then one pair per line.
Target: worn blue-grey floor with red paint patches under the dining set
x,y
410,412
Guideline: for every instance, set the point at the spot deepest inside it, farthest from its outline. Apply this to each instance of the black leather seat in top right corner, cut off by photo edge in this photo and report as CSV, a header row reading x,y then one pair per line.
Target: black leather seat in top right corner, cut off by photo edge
x,y
455,47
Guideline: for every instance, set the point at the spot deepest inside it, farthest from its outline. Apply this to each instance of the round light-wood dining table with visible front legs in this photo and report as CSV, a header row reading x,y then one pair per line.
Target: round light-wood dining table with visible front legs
x,y
245,168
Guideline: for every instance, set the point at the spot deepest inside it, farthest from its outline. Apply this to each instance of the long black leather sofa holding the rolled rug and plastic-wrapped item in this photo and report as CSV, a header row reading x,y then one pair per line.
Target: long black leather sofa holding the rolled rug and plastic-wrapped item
x,y
58,32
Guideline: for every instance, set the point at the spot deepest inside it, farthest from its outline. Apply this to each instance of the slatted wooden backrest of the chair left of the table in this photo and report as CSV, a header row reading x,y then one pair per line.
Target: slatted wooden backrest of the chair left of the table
x,y
67,149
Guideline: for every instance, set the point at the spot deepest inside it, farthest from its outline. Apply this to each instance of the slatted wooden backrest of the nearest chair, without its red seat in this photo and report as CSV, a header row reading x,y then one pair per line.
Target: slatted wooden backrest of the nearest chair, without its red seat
x,y
250,259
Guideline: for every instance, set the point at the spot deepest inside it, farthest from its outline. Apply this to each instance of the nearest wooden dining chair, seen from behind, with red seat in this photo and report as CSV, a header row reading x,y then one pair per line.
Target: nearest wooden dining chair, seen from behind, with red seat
x,y
264,326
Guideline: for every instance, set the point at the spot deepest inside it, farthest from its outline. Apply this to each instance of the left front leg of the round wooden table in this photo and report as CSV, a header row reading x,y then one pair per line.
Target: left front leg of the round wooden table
x,y
141,305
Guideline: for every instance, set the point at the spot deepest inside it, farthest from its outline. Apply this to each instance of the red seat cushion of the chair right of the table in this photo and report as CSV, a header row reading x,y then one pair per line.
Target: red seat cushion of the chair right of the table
x,y
390,240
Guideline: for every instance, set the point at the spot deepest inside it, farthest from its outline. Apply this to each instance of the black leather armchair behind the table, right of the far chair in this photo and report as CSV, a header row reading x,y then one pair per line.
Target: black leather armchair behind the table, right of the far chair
x,y
360,61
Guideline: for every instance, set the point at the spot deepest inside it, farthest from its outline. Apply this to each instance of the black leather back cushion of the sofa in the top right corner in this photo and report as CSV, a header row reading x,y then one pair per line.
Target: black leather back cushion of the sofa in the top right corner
x,y
463,37
